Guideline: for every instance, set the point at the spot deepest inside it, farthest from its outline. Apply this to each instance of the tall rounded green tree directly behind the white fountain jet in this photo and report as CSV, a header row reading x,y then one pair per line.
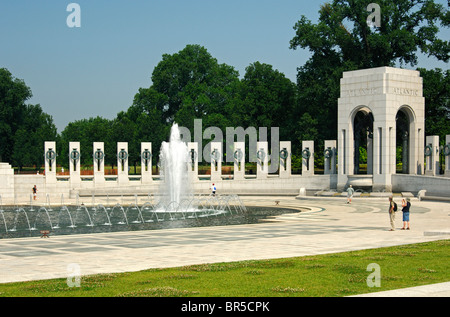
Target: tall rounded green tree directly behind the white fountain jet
x,y
187,85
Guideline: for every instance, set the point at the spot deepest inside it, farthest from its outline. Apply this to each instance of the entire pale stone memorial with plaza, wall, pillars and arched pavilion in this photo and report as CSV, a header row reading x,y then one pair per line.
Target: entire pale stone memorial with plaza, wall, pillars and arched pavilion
x,y
325,222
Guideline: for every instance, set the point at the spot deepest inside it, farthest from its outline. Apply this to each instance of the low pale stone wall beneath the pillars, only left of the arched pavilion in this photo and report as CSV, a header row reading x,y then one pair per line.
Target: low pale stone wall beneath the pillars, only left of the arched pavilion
x,y
251,186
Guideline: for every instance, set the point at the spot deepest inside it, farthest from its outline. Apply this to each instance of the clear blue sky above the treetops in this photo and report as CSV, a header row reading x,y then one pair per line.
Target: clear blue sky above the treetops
x,y
95,70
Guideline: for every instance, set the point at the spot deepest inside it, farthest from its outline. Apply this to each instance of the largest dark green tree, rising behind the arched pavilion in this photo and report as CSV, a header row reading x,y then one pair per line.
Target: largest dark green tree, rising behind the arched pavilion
x,y
343,41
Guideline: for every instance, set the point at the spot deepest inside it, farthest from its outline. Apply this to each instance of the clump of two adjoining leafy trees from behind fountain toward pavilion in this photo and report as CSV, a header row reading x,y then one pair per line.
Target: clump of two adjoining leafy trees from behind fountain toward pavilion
x,y
191,84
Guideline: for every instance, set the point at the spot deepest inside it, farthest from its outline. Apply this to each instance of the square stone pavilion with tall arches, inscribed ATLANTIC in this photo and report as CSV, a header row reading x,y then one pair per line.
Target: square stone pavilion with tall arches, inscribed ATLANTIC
x,y
381,112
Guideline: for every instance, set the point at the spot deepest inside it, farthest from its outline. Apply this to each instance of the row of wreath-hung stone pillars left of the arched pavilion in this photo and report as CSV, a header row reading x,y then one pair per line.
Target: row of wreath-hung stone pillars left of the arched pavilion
x,y
262,155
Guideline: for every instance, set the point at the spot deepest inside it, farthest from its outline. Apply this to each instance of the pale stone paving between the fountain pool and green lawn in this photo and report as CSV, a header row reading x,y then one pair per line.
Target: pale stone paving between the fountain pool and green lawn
x,y
324,225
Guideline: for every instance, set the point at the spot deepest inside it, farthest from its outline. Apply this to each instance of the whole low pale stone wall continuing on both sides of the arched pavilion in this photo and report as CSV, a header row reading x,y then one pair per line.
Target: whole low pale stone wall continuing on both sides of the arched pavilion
x,y
20,186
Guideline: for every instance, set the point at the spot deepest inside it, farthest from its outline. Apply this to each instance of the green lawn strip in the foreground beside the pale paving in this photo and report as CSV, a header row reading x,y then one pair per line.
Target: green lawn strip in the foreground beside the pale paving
x,y
328,275
